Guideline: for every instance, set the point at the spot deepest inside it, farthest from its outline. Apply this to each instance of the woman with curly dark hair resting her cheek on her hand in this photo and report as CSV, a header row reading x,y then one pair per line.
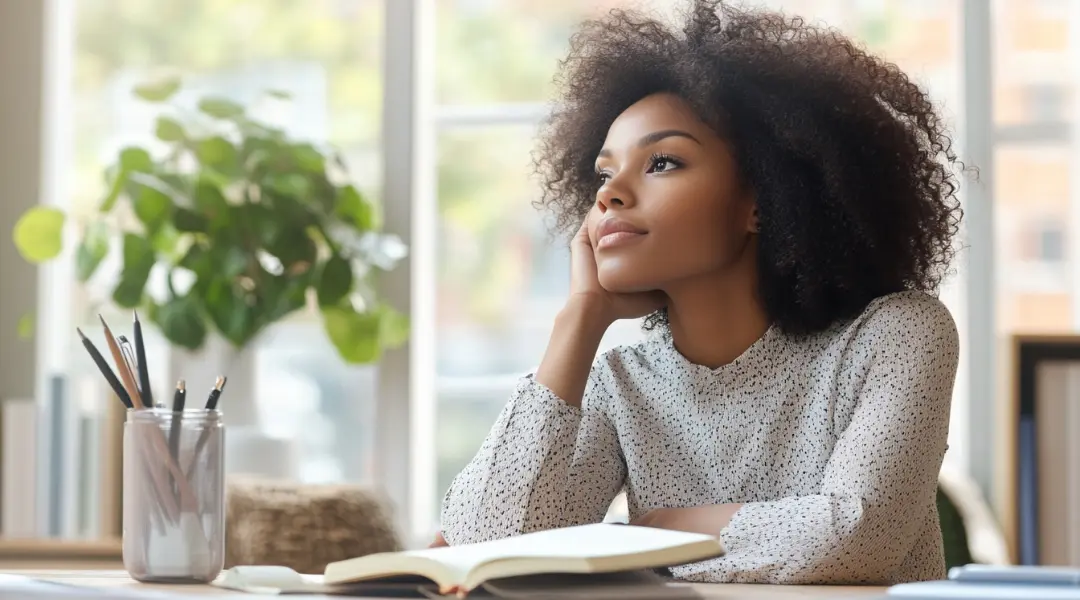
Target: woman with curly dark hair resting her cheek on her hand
x,y
779,204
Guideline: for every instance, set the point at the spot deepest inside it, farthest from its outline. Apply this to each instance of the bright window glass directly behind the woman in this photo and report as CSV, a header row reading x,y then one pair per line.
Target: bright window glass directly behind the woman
x,y
501,283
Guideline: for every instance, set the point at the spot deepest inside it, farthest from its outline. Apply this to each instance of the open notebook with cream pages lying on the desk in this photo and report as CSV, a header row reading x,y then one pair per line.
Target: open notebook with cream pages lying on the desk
x,y
583,550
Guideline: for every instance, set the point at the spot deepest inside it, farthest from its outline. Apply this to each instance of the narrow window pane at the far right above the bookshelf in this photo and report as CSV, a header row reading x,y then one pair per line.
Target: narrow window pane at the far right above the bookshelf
x,y
1036,199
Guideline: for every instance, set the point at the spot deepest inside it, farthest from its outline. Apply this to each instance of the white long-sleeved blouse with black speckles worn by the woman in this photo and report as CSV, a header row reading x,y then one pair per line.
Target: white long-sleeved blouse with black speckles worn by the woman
x,y
833,443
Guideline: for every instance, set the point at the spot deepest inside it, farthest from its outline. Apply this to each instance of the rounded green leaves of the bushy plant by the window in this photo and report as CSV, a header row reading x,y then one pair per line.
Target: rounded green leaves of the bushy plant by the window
x,y
248,225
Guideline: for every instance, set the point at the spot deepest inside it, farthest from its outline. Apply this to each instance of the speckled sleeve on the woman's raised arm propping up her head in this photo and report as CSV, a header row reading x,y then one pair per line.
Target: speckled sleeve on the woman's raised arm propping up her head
x,y
545,465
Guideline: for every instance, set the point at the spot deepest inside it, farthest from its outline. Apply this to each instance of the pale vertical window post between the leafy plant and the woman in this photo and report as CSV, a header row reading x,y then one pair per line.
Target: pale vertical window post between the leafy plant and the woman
x,y
404,410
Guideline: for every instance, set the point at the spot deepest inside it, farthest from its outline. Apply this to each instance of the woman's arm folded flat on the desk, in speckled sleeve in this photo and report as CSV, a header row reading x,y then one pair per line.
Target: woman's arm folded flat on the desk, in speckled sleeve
x,y
880,485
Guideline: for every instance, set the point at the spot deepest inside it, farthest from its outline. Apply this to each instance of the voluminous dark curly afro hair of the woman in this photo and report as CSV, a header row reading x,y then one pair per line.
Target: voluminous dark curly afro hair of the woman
x,y
850,167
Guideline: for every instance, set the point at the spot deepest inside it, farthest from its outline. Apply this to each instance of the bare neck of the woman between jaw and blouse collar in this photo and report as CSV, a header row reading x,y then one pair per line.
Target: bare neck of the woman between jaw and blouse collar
x,y
713,321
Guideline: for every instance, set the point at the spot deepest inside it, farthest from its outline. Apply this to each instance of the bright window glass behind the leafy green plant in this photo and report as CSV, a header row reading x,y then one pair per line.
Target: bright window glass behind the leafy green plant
x,y
327,54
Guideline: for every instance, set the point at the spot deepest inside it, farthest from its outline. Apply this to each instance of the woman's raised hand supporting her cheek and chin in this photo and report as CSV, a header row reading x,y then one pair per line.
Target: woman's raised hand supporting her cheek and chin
x,y
587,291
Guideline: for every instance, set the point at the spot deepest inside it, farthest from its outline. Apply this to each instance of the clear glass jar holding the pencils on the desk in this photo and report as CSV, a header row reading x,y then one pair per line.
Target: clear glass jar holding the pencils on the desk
x,y
174,496
